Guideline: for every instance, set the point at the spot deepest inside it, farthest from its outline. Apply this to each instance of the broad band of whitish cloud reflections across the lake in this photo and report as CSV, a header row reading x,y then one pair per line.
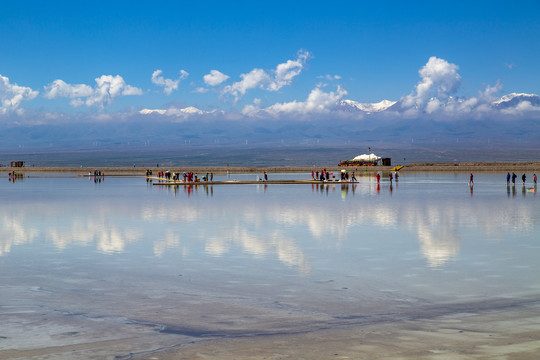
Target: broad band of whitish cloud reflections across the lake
x,y
259,223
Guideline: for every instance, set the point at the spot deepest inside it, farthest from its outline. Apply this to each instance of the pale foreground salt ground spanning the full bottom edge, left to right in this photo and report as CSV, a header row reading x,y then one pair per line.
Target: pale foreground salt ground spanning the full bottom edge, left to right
x,y
509,332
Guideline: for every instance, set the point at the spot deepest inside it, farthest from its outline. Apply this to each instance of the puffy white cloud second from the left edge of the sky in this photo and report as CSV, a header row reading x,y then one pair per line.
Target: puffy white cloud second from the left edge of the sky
x,y
107,88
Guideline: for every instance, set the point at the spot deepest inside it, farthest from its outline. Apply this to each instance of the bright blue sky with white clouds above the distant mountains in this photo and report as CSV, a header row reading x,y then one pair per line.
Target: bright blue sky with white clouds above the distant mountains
x,y
360,51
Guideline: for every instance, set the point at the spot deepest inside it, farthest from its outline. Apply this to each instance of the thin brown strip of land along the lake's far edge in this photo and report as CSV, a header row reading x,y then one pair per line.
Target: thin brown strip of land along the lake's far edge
x,y
415,167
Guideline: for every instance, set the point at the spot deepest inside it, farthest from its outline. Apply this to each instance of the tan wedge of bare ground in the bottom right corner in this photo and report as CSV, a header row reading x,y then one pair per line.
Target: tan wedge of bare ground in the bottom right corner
x,y
510,335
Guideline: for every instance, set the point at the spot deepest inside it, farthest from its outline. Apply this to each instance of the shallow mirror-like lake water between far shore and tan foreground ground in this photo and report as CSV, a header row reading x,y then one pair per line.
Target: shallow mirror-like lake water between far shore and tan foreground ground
x,y
120,259
